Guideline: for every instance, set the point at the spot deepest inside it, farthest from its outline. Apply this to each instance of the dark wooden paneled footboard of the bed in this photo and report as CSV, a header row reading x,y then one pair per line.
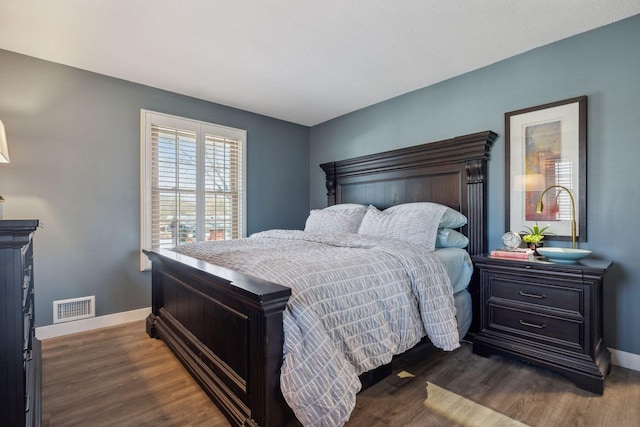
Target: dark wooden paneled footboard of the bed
x,y
226,329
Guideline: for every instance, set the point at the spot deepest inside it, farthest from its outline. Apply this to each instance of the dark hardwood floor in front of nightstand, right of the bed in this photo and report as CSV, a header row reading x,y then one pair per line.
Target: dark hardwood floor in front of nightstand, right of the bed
x,y
533,396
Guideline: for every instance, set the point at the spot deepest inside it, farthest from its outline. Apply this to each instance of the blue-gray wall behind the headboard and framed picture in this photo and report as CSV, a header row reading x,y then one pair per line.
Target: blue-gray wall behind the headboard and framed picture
x,y
603,64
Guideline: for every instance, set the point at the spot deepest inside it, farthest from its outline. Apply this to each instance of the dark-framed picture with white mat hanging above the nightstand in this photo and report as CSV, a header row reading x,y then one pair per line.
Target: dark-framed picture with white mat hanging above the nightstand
x,y
546,146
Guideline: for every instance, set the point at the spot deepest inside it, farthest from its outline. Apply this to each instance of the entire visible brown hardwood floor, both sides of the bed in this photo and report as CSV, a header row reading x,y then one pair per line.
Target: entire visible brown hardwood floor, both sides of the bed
x,y
116,377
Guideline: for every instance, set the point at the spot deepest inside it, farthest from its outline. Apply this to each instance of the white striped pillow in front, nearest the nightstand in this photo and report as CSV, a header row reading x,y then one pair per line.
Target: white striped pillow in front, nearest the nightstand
x,y
418,226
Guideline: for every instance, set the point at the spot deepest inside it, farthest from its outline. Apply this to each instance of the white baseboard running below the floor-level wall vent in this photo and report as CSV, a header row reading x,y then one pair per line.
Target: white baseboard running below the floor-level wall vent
x,y
60,329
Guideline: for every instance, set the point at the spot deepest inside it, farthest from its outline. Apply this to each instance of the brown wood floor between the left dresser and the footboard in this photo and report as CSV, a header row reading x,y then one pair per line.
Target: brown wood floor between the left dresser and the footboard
x,y
117,376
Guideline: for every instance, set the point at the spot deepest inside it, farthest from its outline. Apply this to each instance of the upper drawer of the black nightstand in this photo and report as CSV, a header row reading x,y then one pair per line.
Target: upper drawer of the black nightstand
x,y
540,294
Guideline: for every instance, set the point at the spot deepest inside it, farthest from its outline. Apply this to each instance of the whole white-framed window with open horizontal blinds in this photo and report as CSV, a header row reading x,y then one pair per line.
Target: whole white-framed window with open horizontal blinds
x,y
193,185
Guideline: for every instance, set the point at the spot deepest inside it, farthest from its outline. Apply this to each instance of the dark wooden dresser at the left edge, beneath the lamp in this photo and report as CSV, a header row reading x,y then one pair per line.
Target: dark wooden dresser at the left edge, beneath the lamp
x,y
20,357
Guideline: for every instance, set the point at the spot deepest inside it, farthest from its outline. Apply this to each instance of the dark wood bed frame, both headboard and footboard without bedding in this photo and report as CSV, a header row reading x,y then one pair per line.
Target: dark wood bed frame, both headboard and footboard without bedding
x,y
226,327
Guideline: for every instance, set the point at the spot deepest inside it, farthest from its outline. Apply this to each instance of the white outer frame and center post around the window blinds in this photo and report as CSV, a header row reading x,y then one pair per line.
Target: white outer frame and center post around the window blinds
x,y
150,118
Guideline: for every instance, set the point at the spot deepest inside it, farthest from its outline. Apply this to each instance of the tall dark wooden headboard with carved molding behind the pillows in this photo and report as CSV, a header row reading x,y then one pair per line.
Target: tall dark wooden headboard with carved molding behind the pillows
x,y
451,172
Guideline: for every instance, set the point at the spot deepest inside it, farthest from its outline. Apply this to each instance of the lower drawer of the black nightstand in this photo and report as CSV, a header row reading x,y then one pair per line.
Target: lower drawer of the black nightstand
x,y
554,330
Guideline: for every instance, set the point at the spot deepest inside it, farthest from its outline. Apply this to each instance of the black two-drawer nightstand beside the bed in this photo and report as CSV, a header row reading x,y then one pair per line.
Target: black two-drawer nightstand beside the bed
x,y
546,314
